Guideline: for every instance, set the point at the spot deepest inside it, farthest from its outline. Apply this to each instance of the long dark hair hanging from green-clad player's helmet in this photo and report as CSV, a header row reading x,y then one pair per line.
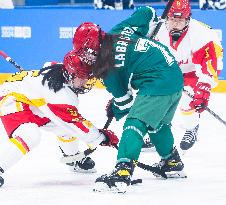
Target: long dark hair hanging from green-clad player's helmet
x,y
105,59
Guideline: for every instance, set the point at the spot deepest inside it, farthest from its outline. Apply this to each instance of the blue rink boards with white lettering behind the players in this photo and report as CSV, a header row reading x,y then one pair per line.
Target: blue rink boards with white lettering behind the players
x,y
32,36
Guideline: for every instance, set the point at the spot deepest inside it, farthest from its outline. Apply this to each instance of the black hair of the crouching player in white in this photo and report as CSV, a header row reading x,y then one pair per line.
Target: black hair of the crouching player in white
x,y
54,76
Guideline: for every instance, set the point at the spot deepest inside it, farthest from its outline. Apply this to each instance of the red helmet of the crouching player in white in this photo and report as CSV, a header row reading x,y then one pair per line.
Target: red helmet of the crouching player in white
x,y
75,68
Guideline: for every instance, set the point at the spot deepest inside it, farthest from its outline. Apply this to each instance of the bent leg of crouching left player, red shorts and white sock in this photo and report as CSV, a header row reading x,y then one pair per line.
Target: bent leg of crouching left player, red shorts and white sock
x,y
21,127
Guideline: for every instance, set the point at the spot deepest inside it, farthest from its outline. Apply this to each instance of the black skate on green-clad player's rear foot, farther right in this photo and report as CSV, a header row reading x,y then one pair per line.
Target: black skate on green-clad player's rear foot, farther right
x,y
172,166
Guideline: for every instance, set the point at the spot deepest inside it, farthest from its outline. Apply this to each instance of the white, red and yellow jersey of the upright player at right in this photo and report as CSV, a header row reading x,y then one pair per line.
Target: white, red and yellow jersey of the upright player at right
x,y
198,52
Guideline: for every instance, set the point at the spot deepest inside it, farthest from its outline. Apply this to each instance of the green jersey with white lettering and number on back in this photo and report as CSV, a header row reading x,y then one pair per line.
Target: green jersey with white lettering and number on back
x,y
141,63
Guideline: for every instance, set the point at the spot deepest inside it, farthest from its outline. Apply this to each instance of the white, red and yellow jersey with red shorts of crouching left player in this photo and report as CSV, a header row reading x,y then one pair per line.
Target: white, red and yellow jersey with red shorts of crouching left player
x,y
23,99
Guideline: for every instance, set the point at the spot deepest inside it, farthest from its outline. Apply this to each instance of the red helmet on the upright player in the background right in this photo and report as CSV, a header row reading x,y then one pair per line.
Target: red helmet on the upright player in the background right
x,y
180,8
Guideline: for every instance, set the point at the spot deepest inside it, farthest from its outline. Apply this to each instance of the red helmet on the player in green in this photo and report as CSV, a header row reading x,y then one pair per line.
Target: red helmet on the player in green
x,y
87,41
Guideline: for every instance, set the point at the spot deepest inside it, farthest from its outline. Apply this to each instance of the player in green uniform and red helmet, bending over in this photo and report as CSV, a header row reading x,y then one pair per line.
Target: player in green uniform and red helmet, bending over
x,y
126,61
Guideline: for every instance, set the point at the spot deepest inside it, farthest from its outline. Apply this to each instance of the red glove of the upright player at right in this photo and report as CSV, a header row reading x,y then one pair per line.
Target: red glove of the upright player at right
x,y
201,97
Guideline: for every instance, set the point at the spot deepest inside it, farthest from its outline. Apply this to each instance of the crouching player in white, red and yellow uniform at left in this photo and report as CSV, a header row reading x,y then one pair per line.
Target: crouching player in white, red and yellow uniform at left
x,y
31,101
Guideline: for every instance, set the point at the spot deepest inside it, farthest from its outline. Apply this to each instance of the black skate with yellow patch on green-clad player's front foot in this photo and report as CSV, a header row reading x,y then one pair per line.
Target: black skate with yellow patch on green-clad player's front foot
x,y
117,181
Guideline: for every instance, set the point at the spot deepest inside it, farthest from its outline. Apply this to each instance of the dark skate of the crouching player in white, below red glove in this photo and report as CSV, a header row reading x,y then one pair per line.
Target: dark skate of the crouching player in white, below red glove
x,y
86,165
